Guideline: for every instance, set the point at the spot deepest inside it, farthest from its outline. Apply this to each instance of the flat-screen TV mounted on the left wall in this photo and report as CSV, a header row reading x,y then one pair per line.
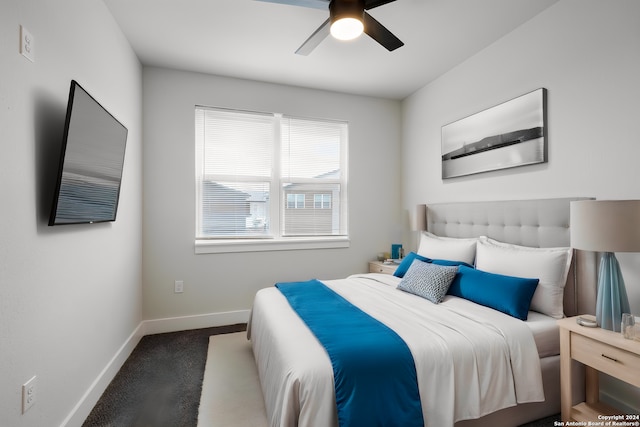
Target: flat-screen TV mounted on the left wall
x,y
91,162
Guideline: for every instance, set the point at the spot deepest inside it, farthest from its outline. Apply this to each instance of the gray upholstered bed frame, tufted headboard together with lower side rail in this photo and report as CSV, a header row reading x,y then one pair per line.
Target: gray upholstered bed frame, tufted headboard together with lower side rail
x,y
536,223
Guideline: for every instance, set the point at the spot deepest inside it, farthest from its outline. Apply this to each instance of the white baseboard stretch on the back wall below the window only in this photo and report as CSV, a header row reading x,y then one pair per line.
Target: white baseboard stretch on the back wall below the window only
x,y
172,324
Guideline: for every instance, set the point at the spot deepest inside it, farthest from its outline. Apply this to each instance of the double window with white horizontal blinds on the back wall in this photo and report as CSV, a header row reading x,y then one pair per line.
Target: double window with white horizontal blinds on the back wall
x,y
270,177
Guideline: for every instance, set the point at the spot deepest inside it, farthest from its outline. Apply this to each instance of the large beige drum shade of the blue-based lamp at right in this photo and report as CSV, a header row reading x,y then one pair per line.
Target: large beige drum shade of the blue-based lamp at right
x,y
605,225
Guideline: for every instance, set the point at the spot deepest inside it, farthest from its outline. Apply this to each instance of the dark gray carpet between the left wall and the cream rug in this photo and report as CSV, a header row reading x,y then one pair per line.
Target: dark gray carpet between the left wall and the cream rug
x,y
160,383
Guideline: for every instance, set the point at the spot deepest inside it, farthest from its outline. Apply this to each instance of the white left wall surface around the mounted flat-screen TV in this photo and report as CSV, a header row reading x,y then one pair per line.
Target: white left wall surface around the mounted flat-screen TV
x,y
70,297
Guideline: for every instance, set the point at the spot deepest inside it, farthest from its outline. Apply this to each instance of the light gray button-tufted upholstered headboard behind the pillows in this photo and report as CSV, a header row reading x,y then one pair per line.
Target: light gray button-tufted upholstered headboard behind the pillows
x,y
536,223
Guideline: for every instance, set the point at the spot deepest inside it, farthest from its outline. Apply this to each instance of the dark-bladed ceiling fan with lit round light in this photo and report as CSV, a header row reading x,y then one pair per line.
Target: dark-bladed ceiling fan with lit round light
x,y
347,20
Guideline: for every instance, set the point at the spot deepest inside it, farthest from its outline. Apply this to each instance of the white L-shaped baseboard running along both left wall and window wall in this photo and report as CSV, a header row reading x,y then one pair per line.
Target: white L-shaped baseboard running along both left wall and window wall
x,y
147,327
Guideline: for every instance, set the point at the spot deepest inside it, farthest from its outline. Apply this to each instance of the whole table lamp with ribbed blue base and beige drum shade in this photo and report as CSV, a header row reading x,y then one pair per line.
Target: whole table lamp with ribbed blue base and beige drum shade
x,y
607,226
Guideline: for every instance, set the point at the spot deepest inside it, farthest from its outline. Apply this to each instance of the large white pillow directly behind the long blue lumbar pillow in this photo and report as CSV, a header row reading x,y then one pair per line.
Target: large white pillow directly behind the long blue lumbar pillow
x,y
550,265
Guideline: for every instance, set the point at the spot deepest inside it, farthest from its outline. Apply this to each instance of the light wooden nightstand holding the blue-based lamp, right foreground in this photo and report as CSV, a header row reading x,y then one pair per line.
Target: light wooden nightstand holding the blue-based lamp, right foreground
x,y
599,350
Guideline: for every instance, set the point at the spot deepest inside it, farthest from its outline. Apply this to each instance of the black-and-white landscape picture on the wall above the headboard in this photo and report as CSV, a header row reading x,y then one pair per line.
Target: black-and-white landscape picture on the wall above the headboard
x,y
507,135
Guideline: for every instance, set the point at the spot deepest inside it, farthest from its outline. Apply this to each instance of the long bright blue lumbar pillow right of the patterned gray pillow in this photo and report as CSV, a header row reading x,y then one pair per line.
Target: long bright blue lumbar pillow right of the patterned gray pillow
x,y
510,295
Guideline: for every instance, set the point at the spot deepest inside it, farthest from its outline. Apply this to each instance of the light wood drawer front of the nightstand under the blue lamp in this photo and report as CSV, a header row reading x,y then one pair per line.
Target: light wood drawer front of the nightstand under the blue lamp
x,y
603,357
